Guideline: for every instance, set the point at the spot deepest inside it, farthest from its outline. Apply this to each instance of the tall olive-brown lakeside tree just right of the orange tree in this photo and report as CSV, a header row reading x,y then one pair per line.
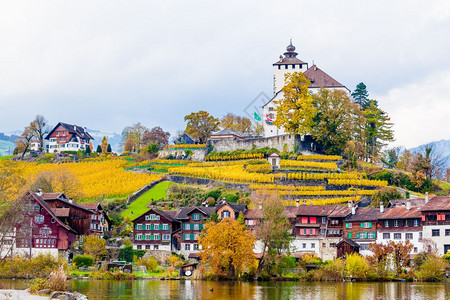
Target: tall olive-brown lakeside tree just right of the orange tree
x,y
273,231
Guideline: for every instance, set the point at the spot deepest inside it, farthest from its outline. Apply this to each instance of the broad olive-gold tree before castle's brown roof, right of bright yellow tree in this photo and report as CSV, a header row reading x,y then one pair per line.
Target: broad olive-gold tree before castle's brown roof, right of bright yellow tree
x,y
334,120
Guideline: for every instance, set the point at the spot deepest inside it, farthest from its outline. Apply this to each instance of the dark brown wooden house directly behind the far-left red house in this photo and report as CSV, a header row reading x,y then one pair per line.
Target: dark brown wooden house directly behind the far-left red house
x,y
84,221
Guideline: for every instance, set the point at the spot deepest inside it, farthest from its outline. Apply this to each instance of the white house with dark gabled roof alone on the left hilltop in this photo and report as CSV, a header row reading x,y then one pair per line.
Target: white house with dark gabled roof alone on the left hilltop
x,y
67,137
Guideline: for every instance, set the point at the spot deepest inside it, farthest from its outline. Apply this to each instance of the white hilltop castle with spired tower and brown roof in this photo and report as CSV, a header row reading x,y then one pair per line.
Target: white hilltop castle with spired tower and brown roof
x,y
289,63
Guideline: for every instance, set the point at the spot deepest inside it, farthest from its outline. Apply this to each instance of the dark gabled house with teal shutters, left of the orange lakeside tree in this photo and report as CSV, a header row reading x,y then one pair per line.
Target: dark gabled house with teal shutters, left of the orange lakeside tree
x,y
154,229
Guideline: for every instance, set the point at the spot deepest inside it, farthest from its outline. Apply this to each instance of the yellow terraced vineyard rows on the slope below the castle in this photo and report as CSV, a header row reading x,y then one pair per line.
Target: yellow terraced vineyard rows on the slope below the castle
x,y
322,183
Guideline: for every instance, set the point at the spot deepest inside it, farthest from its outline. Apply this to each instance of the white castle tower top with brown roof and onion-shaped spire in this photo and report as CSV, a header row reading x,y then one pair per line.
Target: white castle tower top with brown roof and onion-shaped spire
x,y
287,64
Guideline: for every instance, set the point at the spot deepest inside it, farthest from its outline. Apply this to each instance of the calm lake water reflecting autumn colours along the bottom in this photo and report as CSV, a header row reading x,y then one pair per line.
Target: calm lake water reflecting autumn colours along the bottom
x,y
156,289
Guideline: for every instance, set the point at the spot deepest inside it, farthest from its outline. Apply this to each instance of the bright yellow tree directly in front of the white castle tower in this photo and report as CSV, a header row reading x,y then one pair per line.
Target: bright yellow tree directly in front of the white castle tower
x,y
296,111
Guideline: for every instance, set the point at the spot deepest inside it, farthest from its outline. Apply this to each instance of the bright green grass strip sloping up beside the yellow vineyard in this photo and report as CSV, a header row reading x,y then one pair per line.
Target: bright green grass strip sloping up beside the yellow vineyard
x,y
139,206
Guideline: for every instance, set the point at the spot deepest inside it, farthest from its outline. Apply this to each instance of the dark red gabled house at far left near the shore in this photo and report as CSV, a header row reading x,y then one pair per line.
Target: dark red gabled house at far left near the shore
x,y
41,230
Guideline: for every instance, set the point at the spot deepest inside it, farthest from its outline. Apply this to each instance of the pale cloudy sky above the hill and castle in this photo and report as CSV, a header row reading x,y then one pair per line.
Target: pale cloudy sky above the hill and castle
x,y
109,64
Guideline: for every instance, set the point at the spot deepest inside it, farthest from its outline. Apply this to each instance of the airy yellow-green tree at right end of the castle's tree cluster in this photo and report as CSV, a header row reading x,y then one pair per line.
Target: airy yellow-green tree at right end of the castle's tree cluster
x,y
378,129
